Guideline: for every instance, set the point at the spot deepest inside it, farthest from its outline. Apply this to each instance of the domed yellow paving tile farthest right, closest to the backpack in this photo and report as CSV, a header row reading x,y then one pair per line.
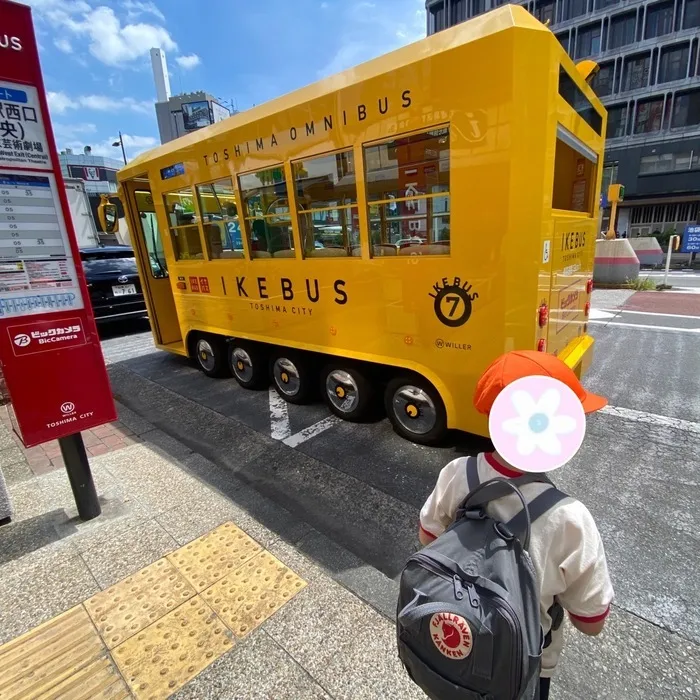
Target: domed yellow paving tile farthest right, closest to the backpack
x,y
246,597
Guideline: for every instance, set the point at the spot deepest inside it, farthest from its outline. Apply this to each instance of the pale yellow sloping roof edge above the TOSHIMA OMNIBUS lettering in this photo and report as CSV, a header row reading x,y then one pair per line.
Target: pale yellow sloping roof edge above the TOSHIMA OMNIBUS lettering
x,y
479,27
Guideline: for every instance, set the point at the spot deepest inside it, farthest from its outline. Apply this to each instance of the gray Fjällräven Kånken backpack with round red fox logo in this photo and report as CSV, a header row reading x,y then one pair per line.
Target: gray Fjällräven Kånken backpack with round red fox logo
x,y
468,620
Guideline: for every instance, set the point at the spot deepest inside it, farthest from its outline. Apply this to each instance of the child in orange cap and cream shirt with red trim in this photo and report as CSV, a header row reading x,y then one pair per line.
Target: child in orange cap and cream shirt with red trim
x,y
565,547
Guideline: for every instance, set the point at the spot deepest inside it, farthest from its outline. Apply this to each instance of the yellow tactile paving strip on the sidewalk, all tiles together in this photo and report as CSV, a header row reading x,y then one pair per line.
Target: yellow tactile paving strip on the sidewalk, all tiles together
x,y
163,624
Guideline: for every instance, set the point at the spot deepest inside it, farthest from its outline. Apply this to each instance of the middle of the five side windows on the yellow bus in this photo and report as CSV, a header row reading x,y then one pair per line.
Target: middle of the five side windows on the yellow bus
x,y
266,211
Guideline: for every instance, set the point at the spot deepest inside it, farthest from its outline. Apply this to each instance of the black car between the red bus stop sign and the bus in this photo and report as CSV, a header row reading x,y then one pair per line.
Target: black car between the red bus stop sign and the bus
x,y
113,283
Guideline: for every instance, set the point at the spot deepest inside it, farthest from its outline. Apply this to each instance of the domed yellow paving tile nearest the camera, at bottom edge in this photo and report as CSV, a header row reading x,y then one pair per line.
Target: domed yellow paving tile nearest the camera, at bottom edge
x,y
172,651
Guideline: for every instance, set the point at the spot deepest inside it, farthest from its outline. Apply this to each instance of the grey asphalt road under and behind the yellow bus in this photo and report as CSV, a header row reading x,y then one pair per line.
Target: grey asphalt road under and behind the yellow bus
x,y
362,486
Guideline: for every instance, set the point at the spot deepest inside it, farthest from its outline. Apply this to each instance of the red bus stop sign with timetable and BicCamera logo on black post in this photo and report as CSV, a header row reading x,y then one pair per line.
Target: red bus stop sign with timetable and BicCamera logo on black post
x,y
49,347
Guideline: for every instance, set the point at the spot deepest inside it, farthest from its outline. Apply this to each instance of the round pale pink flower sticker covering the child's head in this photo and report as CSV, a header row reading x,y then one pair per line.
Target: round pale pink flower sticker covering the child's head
x,y
537,424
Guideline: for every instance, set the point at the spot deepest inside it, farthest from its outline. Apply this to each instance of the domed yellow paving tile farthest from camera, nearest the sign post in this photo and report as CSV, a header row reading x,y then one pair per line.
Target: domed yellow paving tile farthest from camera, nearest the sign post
x,y
206,560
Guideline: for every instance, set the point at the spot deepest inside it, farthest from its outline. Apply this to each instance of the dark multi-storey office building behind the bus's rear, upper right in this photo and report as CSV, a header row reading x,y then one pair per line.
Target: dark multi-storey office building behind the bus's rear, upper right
x,y
649,81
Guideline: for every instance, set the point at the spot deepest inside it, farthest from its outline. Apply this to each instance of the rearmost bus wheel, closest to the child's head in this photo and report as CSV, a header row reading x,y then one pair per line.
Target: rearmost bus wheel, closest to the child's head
x,y
415,410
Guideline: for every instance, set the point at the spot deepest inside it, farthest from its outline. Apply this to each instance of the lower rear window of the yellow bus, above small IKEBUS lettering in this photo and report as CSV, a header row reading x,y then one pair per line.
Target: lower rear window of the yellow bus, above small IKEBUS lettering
x,y
574,174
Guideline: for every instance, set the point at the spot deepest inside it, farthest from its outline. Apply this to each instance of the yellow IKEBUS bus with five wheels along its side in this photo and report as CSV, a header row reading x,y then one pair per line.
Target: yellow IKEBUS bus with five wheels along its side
x,y
386,232
